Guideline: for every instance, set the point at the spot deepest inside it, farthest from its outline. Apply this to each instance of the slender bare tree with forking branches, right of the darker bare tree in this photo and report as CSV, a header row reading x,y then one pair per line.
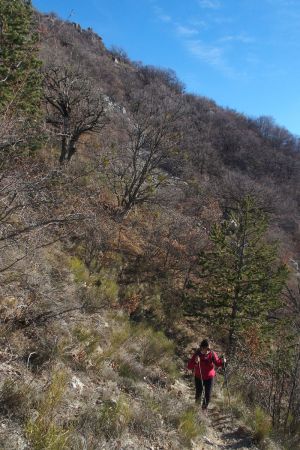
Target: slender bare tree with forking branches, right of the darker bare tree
x,y
151,135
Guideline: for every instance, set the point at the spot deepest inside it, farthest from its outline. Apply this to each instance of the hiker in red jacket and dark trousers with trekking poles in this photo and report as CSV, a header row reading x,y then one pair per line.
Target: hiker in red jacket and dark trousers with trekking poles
x,y
203,364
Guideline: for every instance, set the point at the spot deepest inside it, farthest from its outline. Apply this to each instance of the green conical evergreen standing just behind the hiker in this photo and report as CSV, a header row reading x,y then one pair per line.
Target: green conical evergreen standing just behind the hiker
x,y
240,277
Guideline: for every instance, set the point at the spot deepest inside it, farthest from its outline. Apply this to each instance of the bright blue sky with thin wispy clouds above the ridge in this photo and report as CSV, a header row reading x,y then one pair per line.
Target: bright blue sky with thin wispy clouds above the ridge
x,y
244,54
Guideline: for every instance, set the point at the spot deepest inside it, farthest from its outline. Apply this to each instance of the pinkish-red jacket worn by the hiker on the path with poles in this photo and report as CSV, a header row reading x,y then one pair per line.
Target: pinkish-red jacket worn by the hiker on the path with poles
x,y
204,370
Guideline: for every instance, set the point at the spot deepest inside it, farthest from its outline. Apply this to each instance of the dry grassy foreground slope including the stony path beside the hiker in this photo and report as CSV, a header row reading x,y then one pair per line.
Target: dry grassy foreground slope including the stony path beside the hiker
x,y
108,394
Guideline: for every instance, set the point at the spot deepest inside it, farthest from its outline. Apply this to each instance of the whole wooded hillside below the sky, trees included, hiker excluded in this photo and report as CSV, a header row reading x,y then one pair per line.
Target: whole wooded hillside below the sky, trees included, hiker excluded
x,y
136,219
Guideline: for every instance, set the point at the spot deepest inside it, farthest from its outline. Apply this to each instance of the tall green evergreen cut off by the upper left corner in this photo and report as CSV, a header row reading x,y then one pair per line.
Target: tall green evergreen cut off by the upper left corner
x,y
20,80
